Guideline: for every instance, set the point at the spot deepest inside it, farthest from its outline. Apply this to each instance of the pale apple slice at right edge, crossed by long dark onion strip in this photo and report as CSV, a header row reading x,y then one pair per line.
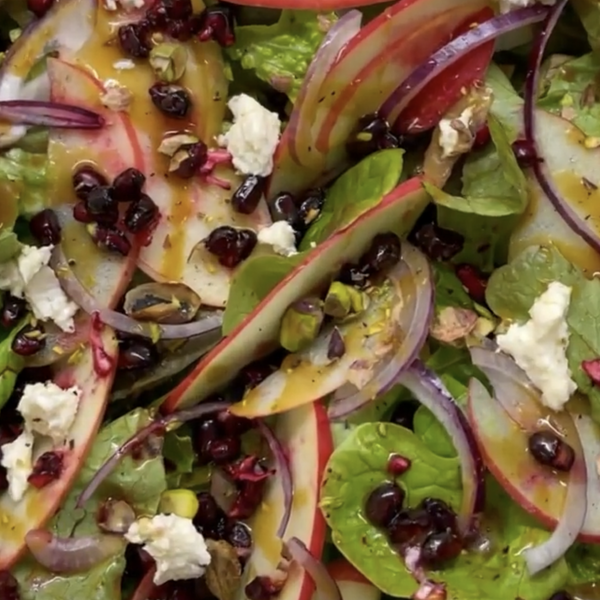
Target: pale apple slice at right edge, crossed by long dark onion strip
x,y
574,170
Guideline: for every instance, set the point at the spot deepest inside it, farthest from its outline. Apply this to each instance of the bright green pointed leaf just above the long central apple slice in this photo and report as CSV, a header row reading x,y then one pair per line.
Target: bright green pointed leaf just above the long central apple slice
x,y
359,189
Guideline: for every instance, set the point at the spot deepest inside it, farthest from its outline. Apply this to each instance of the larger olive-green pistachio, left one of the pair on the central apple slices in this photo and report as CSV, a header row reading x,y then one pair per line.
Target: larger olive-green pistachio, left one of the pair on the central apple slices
x,y
301,324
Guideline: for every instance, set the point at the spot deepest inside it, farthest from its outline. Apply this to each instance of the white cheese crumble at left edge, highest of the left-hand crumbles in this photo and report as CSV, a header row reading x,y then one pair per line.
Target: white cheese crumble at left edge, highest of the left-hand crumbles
x,y
29,275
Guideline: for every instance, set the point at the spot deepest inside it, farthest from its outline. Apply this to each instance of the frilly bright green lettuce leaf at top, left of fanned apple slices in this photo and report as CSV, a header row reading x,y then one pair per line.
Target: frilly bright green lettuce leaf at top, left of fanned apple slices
x,y
281,53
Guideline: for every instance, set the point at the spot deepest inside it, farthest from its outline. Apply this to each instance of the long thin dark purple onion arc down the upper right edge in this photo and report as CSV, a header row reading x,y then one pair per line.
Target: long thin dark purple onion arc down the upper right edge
x,y
576,221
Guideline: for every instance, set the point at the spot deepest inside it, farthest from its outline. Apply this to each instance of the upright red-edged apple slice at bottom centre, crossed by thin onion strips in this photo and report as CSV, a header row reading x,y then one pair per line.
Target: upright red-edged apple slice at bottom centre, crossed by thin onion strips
x,y
306,437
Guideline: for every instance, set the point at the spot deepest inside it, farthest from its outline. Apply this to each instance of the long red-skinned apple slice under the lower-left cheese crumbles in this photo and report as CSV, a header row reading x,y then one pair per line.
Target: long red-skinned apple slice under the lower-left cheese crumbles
x,y
39,505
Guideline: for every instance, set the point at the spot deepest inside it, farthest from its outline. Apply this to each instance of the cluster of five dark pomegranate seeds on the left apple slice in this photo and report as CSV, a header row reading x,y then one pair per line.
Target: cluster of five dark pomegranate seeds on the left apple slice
x,y
99,202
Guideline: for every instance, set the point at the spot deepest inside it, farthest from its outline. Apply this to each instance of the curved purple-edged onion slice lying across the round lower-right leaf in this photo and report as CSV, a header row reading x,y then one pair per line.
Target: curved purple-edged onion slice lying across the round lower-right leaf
x,y
431,392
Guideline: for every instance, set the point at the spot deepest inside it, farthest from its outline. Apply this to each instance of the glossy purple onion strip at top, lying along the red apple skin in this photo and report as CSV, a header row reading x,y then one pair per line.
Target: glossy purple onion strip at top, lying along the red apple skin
x,y
454,51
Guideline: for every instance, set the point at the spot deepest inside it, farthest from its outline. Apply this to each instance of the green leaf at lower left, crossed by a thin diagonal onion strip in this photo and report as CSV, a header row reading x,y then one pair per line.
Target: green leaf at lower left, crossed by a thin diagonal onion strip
x,y
139,482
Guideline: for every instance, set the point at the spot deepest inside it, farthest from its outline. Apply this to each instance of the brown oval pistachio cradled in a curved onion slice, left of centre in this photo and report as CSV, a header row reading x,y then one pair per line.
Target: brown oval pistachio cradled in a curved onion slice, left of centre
x,y
162,303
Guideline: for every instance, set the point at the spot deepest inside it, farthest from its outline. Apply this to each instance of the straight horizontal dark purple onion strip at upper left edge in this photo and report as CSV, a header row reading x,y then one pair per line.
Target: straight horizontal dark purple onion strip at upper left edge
x,y
49,114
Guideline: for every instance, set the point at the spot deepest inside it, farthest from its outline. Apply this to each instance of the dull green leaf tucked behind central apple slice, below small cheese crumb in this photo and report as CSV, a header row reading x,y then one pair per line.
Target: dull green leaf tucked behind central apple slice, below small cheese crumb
x,y
252,282
